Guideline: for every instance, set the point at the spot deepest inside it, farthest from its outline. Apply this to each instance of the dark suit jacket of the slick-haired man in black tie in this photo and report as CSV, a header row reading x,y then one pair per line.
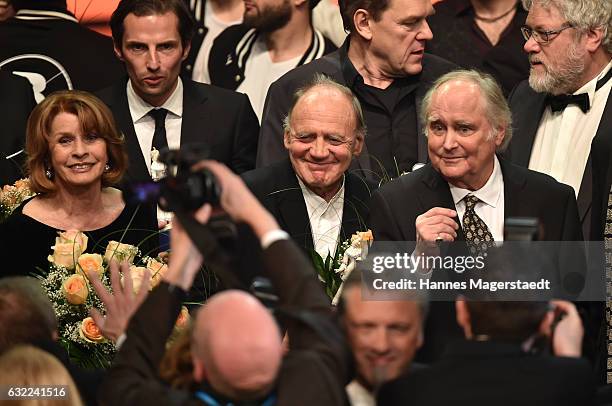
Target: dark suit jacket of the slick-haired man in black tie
x,y
222,119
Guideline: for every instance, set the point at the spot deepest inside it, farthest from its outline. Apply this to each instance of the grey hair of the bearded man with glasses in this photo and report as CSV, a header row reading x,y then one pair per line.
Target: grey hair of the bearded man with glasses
x,y
583,14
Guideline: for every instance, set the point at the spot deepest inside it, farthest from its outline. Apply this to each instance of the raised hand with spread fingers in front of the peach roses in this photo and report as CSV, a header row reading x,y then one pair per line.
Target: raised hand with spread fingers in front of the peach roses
x,y
121,304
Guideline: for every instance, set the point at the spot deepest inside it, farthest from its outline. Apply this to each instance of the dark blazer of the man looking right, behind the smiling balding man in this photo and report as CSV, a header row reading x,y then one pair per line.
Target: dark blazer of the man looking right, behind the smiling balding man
x,y
280,98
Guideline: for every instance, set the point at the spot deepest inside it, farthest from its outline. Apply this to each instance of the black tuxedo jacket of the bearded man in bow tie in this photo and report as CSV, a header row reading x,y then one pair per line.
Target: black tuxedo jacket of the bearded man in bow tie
x,y
527,109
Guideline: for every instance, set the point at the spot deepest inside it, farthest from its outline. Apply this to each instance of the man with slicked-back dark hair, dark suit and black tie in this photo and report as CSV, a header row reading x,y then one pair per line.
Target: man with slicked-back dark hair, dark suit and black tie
x,y
155,108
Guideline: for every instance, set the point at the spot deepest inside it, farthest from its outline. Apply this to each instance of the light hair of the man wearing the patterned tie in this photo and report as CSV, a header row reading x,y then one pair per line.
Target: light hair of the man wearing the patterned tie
x,y
496,108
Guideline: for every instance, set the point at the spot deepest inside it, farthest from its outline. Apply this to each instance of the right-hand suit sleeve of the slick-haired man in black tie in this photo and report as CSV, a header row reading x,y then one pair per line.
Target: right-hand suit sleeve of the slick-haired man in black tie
x,y
245,137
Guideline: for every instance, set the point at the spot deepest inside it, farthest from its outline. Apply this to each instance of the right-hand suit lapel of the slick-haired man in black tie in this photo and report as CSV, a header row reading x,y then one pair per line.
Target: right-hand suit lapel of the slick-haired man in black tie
x,y
194,121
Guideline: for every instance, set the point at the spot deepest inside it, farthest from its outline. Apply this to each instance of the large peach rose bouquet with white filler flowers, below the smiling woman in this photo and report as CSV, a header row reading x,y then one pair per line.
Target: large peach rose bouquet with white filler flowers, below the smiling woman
x,y
72,296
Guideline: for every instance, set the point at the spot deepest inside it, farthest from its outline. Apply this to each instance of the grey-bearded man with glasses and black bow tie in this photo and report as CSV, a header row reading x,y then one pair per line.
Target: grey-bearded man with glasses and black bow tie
x,y
563,114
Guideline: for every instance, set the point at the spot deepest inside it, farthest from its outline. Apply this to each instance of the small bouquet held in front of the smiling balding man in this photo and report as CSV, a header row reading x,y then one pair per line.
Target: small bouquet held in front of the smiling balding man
x,y
335,270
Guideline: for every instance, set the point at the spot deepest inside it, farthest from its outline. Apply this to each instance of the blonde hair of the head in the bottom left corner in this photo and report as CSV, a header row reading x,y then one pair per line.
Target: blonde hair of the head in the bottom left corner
x,y
26,366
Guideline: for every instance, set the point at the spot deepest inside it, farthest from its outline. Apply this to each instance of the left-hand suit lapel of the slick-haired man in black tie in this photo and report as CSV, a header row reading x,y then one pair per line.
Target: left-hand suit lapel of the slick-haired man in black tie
x,y
137,169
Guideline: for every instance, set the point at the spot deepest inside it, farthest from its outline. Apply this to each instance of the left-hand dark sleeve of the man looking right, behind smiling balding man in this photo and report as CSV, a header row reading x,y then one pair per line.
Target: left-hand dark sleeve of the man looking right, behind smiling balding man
x,y
271,148
